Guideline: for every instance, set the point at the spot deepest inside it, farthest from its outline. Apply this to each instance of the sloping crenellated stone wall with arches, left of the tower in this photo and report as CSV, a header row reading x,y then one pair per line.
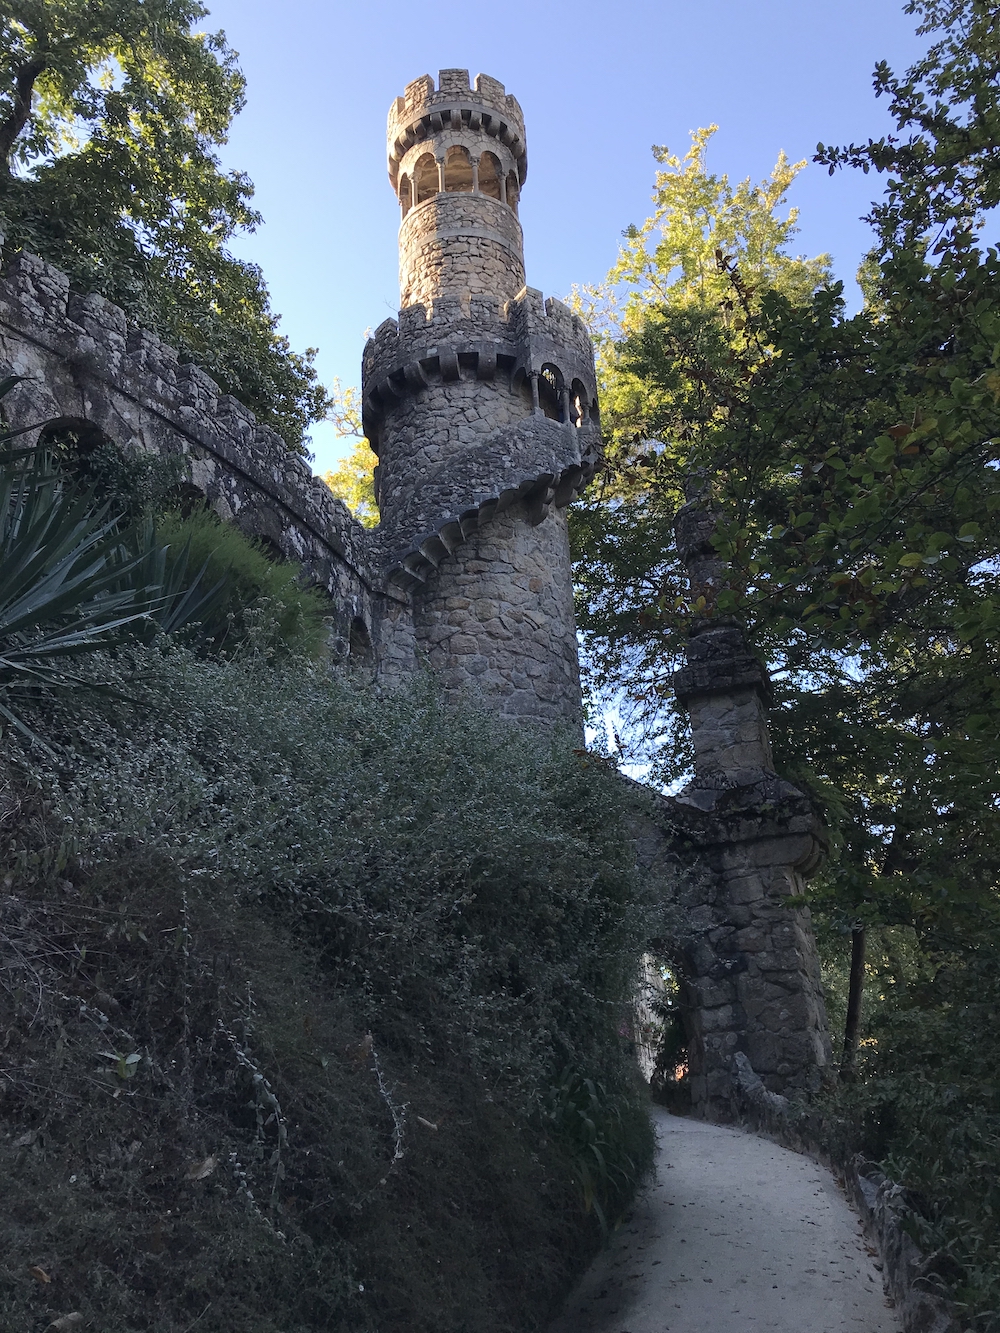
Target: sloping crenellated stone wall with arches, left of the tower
x,y
83,361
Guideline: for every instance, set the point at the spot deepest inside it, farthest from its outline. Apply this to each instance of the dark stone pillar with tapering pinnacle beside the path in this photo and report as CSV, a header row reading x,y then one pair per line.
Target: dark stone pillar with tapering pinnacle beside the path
x,y
753,972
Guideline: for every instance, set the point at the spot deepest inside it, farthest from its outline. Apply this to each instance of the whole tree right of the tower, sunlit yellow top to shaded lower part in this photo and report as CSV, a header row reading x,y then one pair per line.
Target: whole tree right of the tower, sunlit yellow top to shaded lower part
x,y
689,279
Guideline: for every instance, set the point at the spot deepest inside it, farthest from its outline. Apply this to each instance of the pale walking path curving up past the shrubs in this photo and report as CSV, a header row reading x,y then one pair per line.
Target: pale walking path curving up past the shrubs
x,y
735,1235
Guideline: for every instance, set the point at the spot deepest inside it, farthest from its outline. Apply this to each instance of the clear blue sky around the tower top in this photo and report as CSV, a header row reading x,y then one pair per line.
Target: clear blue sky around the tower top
x,y
599,83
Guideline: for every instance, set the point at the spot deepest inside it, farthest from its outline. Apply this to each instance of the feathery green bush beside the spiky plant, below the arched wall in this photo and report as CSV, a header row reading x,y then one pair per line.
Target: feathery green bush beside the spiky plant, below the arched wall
x,y
263,599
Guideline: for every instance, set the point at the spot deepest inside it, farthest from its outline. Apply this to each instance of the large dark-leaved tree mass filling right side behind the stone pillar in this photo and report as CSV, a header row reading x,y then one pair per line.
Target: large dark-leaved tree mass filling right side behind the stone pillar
x,y
854,467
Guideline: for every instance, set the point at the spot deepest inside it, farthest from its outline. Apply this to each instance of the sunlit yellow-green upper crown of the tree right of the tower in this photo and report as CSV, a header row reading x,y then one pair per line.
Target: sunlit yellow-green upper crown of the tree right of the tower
x,y
675,270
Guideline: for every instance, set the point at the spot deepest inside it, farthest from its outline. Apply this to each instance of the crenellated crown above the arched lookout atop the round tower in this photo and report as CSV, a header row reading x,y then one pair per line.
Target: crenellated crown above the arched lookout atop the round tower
x,y
455,105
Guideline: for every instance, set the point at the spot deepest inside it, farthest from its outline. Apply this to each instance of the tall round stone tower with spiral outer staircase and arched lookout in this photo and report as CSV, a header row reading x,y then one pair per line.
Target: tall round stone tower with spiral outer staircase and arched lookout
x,y
481,403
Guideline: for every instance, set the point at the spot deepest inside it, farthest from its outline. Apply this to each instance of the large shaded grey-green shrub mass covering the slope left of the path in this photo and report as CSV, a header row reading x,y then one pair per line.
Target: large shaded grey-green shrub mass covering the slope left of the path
x,y
354,942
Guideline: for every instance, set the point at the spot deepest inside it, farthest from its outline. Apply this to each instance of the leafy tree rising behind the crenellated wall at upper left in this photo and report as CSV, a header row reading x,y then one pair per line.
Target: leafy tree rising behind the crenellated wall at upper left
x,y
111,113
